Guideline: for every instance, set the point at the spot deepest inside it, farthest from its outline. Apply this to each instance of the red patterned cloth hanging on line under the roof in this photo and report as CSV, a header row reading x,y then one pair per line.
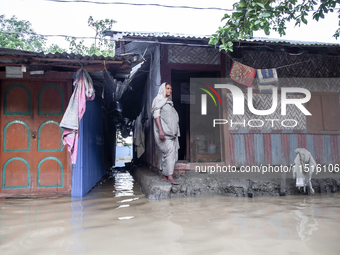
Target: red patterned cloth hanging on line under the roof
x,y
242,74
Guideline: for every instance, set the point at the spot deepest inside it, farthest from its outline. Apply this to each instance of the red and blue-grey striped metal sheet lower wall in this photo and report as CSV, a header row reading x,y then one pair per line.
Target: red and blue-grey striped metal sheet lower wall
x,y
257,149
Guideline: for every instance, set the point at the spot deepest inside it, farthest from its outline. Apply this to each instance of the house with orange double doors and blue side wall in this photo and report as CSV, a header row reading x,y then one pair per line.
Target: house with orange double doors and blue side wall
x,y
35,91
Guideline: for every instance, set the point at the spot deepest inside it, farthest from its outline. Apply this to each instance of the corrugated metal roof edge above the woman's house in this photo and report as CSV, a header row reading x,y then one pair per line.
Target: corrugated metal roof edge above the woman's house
x,y
116,35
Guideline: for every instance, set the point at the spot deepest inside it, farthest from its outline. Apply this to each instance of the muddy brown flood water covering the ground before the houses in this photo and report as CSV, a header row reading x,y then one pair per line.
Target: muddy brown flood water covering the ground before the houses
x,y
115,218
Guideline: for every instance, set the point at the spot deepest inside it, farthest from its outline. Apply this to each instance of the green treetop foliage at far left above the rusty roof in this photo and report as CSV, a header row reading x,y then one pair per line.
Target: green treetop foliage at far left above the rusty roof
x,y
19,35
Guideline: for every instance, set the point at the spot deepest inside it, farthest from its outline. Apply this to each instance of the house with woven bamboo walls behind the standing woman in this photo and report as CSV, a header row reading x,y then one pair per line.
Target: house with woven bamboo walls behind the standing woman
x,y
177,59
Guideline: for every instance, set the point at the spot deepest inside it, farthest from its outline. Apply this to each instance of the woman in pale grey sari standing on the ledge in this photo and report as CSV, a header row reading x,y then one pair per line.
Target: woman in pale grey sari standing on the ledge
x,y
166,130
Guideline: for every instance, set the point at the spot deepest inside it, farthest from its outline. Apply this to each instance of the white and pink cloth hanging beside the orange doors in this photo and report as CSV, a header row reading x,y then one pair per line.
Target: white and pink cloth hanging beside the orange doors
x,y
75,110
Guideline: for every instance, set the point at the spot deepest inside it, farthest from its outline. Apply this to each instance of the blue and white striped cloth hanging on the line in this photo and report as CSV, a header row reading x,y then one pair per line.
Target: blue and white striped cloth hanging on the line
x,y
267,80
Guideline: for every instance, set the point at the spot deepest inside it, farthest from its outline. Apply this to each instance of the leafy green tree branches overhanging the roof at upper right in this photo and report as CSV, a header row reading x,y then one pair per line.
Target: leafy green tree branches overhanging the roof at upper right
x,y
266,15
